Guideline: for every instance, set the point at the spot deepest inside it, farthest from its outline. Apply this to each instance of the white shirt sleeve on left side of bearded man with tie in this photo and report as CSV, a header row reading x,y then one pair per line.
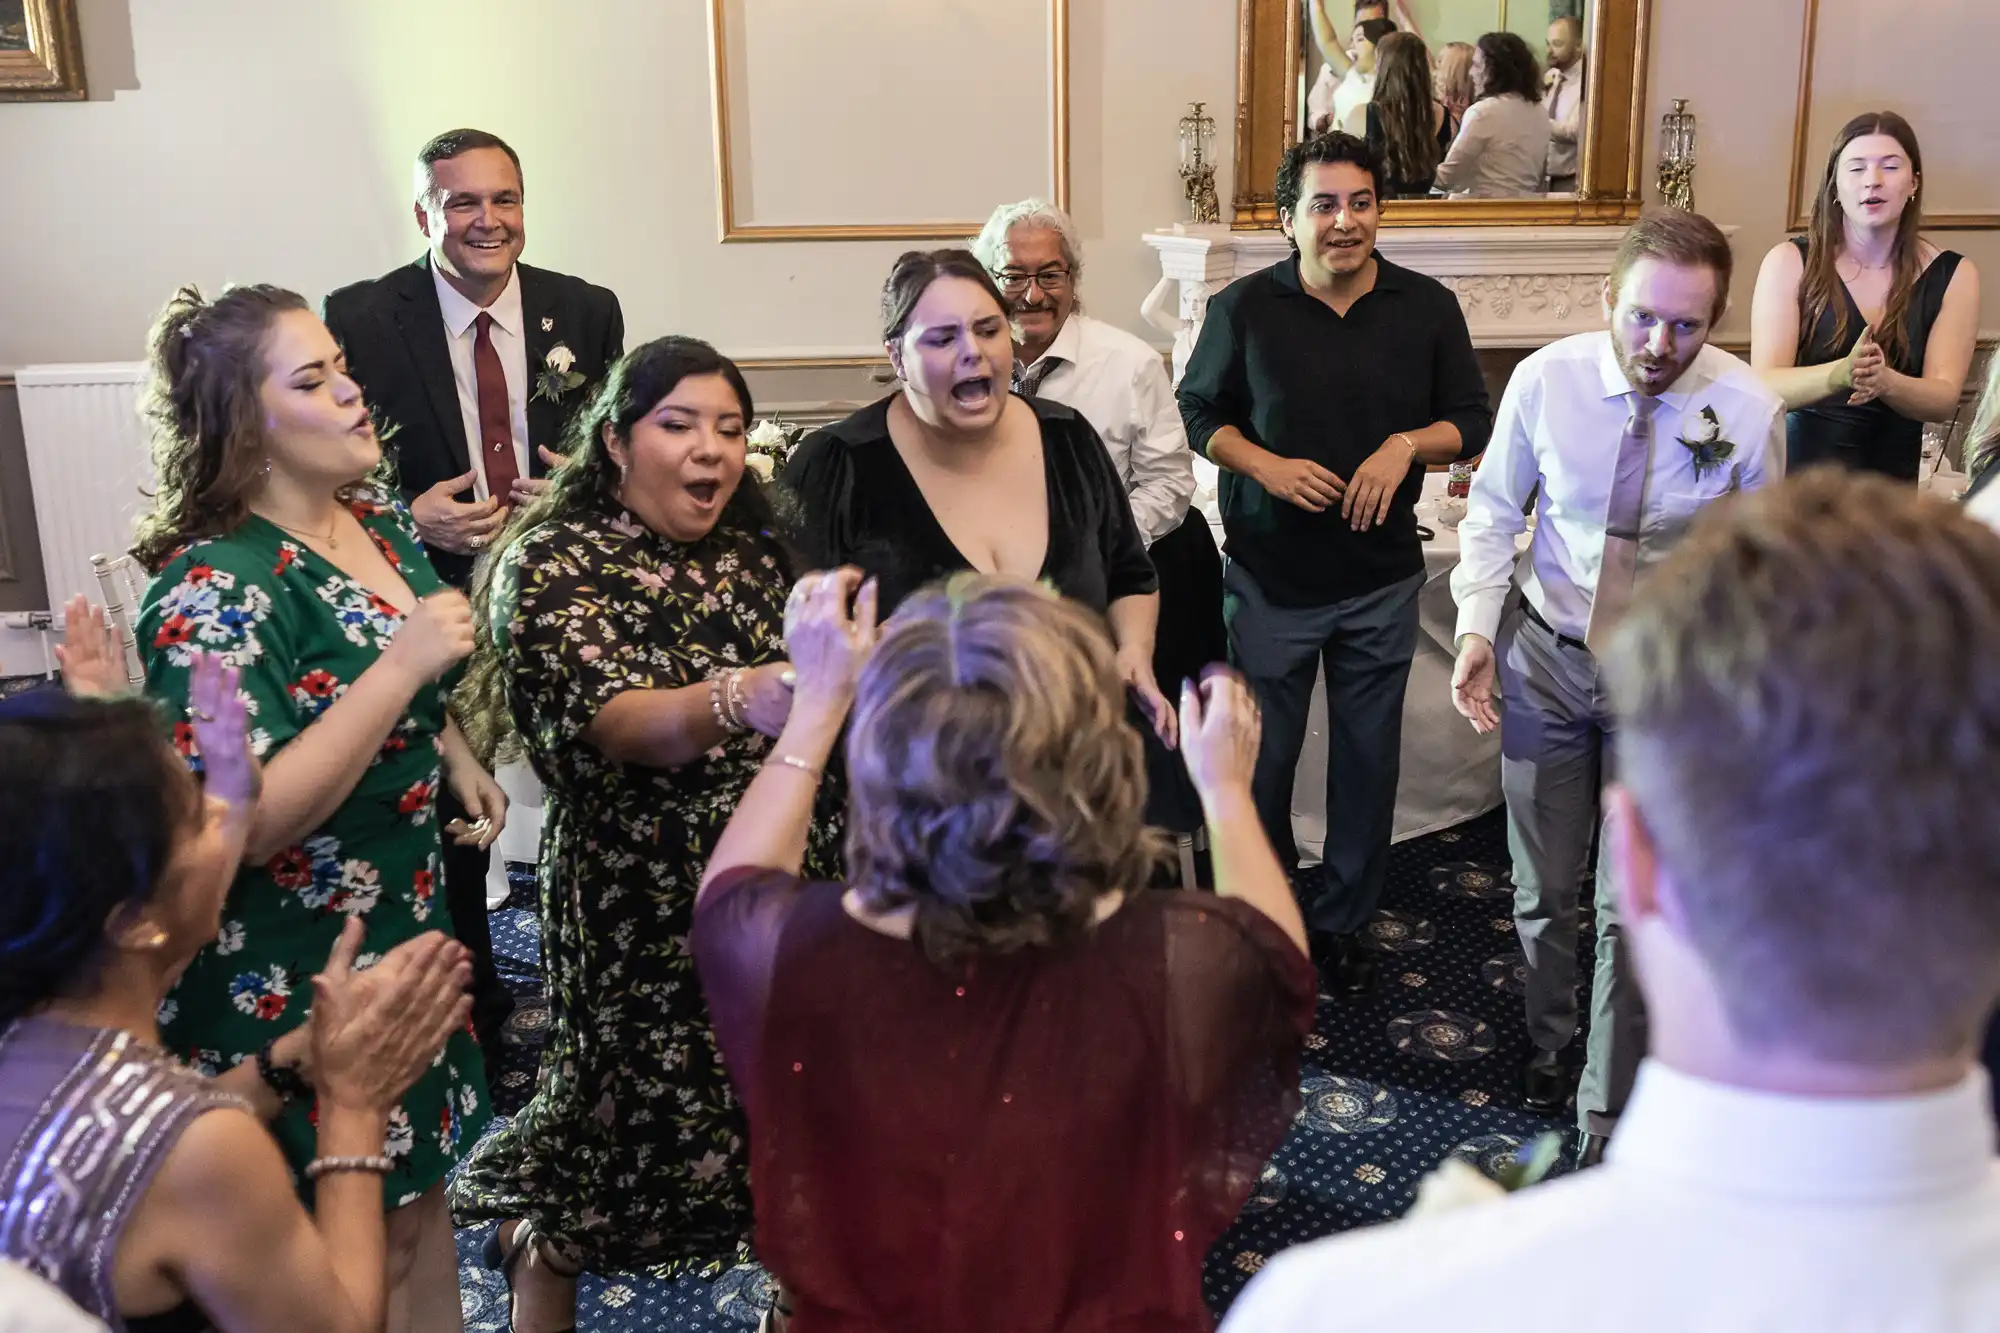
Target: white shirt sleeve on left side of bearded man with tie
x,y
1487,551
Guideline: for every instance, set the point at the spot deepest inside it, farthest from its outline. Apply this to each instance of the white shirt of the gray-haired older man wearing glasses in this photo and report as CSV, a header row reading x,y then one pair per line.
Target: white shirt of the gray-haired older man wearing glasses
x,y
1121,387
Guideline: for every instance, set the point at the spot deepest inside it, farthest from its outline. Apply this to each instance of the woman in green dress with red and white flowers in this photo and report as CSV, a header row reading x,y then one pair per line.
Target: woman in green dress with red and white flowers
x,y
273,551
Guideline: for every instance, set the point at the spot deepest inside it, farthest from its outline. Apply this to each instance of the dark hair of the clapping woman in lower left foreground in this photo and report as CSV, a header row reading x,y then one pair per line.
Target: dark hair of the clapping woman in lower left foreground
x,y
93,806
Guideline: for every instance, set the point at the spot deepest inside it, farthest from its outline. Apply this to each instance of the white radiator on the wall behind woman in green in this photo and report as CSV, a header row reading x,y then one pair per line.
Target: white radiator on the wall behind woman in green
x,y
89,459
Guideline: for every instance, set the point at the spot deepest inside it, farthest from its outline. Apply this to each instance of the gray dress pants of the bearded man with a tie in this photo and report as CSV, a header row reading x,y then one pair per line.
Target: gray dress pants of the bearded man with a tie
x,y
1555,760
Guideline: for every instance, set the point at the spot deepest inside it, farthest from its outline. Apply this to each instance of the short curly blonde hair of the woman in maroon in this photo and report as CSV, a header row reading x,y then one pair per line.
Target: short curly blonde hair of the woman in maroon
x,y
995,784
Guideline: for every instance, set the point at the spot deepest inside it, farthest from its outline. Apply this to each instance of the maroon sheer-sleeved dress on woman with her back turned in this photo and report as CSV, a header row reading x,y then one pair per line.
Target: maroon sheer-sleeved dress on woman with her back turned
x,y
1031,1144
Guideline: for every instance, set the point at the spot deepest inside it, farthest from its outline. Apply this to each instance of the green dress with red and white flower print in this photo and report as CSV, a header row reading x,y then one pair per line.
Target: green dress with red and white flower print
x,y
299,631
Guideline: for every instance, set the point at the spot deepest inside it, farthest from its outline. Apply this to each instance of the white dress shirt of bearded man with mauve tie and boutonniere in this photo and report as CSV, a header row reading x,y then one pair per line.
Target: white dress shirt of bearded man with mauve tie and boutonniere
x,y
1559,427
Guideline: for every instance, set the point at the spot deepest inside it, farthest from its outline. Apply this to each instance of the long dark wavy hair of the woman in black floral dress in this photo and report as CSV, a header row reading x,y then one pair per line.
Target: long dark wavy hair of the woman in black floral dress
x,y
589,483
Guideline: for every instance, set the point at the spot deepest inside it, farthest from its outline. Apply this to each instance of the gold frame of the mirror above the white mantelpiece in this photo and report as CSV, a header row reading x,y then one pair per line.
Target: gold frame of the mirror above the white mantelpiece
x,y
1269,35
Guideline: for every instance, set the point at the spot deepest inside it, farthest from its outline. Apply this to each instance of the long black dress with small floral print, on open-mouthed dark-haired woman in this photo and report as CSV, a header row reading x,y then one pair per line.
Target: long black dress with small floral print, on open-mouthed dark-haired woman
x,y
631,1154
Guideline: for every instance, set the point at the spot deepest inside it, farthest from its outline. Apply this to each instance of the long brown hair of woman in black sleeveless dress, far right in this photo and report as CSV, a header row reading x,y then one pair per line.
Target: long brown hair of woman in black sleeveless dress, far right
x,y
1827,235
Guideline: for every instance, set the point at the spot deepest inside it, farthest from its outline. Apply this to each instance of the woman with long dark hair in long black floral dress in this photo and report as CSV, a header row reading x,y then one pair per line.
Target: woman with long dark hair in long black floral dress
x,y
633,627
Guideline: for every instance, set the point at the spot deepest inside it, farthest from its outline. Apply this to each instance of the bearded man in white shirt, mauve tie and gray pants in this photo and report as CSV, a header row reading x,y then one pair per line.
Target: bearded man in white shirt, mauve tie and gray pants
x,y
1621,437
